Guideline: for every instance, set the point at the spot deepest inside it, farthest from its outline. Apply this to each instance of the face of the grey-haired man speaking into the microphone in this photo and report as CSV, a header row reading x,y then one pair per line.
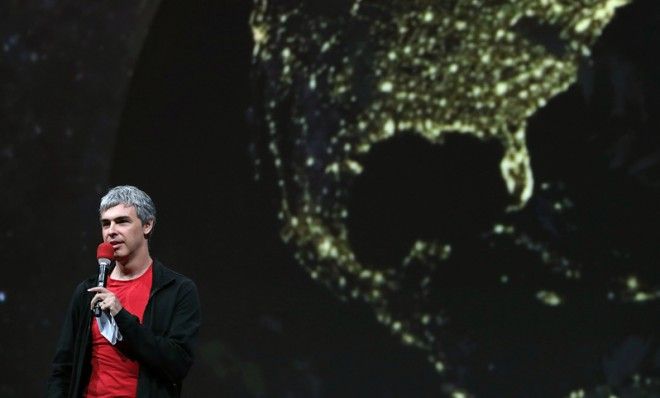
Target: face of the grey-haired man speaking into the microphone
x,y
122,228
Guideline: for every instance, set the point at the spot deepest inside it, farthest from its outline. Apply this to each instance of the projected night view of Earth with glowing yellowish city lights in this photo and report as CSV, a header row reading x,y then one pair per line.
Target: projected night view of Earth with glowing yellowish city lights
x,y
438,162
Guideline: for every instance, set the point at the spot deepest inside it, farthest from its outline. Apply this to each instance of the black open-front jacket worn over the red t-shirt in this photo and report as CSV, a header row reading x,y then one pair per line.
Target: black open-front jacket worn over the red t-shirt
x,y
163,345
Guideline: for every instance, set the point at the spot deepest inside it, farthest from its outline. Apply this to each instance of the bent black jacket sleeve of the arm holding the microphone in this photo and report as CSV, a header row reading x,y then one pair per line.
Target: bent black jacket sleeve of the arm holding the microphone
x,y
170,355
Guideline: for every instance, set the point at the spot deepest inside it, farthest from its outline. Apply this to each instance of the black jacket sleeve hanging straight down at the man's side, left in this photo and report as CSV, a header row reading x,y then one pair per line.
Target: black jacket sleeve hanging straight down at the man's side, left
x,y
62,366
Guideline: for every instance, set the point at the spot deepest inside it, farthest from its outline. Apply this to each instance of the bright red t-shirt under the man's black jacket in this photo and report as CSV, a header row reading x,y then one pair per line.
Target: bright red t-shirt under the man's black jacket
x,y
114,374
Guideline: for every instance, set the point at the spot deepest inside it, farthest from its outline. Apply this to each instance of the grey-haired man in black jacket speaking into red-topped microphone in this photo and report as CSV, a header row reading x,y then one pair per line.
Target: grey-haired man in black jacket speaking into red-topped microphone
x,y
143,343
